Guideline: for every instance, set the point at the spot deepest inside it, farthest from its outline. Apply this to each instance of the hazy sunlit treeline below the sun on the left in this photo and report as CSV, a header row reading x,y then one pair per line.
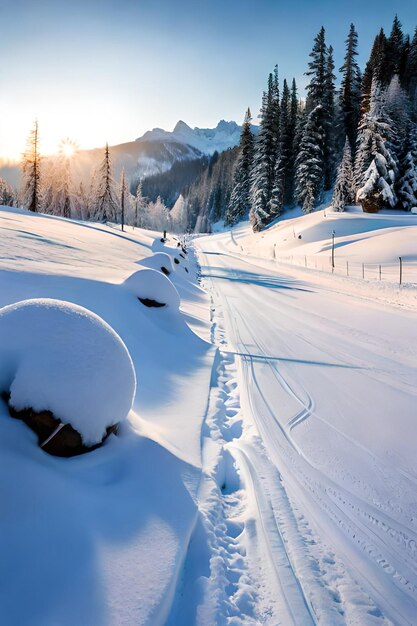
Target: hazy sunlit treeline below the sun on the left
x,y
47,187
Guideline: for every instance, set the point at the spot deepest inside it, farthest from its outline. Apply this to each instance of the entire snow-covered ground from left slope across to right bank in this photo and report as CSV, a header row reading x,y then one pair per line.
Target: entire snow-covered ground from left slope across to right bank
x,y
269,481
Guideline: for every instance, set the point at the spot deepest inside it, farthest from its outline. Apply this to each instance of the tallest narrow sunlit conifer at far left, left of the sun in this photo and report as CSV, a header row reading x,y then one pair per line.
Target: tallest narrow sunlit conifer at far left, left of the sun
x,y
31,169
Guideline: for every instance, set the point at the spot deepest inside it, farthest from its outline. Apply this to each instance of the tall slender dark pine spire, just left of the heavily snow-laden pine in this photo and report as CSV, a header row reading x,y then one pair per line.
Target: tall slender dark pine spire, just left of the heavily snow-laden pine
x,y
350,89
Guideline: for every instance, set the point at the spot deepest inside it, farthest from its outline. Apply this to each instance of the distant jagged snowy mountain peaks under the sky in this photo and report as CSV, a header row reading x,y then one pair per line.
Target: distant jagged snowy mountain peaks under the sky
x,y
206,140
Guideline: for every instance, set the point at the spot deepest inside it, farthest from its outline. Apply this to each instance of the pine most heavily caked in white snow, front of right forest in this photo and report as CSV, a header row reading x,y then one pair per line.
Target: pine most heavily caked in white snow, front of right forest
x,y
375,167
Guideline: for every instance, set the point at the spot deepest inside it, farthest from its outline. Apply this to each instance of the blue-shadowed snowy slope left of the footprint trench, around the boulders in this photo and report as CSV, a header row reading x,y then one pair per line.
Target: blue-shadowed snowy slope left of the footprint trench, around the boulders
x,y
100,539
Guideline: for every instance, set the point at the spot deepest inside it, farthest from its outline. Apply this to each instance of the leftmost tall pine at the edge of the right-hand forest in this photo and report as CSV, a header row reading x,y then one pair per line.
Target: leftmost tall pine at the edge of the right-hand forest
x,y
240,199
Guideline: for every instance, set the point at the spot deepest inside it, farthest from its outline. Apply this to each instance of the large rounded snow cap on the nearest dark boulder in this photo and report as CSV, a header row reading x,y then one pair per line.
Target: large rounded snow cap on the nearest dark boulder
x,y
57,356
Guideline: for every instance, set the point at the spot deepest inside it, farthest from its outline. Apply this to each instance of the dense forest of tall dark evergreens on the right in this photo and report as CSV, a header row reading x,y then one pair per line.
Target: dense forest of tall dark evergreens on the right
x,y
360,139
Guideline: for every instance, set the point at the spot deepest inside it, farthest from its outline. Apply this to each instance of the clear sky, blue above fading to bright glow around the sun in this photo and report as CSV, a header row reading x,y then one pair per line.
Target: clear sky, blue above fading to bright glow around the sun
x,y
100,71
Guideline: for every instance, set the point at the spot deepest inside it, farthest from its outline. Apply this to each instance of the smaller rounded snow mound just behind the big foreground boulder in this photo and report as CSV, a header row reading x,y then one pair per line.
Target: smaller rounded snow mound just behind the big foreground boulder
x,y
153,289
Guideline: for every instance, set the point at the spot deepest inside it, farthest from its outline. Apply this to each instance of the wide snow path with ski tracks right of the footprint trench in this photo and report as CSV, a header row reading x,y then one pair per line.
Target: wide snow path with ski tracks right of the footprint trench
x,y
326,457
